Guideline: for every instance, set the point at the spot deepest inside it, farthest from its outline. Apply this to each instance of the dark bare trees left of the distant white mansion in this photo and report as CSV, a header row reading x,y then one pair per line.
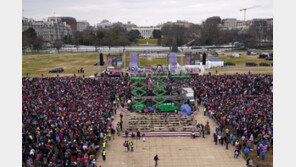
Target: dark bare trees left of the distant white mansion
x,y
115,36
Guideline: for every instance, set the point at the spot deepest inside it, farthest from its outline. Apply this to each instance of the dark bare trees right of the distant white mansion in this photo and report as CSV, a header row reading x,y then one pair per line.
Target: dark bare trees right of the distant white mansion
x,y
212,34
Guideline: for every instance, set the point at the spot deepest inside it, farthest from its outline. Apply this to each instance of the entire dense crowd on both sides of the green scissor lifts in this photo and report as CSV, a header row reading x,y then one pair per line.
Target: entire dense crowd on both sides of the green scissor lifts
x,y
66,118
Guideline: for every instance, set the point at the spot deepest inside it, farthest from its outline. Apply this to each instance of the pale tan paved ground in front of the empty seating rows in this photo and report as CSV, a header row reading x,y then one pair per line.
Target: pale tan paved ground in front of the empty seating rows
x,y
172,151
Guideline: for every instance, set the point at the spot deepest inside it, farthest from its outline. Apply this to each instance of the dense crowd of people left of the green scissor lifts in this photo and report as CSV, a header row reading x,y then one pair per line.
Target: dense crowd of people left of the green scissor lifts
x,y
66,119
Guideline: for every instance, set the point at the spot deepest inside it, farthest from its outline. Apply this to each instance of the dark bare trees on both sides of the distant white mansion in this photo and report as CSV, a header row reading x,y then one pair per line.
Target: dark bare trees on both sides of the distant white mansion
x,y
169,35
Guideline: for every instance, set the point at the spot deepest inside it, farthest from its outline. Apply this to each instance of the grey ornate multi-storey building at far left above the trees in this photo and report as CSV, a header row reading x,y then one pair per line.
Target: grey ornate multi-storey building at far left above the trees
x,y
50,30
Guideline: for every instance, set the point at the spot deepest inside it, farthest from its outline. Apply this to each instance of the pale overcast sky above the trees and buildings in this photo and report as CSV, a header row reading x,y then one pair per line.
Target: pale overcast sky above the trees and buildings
x,y
146,12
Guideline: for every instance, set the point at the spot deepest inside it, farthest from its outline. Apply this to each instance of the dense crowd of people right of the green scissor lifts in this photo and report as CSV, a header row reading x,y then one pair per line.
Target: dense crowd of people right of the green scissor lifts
x,y
243,104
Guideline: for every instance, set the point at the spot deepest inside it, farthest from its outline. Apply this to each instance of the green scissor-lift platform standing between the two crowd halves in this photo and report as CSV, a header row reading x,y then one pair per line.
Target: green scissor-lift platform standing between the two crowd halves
x,y
154,93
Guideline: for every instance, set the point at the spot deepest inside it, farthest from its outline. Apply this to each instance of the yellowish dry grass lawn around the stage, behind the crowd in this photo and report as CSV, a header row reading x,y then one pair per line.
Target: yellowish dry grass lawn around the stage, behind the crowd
x,y
35,65
